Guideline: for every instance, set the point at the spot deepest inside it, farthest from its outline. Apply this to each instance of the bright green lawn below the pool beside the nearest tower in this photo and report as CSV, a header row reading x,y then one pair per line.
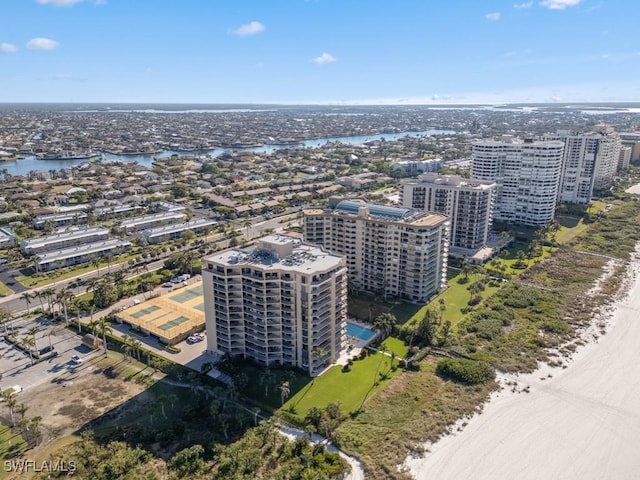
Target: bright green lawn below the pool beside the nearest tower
x,y
350,389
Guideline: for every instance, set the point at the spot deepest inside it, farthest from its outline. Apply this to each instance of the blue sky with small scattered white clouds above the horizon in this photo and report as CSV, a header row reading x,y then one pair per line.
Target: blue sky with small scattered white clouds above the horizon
x,y
319,51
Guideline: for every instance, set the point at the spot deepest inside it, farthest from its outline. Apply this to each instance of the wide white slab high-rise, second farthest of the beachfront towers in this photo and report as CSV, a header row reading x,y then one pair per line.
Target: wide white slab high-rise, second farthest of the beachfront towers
x,y
526,176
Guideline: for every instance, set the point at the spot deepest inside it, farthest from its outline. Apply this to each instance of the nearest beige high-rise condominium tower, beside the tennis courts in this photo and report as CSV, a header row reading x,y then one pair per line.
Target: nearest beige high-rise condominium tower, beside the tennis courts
x,y
283,302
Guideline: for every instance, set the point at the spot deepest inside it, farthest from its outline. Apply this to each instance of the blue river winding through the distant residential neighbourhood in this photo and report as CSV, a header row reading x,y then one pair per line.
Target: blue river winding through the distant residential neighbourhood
x,y
25,165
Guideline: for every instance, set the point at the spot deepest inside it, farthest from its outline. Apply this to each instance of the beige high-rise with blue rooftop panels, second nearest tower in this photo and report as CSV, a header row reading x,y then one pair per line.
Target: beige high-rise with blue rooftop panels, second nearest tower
x,y
393,252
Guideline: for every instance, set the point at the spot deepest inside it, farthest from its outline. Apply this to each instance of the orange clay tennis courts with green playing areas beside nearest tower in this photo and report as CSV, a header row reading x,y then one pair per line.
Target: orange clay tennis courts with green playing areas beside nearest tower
x,y
169,317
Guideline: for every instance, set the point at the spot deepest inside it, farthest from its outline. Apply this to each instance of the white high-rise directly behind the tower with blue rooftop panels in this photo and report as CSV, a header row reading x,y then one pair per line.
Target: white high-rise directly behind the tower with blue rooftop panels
x,y
468,203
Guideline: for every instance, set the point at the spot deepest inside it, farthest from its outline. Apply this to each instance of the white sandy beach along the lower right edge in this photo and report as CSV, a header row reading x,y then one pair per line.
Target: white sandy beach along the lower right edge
x,y
582,422
